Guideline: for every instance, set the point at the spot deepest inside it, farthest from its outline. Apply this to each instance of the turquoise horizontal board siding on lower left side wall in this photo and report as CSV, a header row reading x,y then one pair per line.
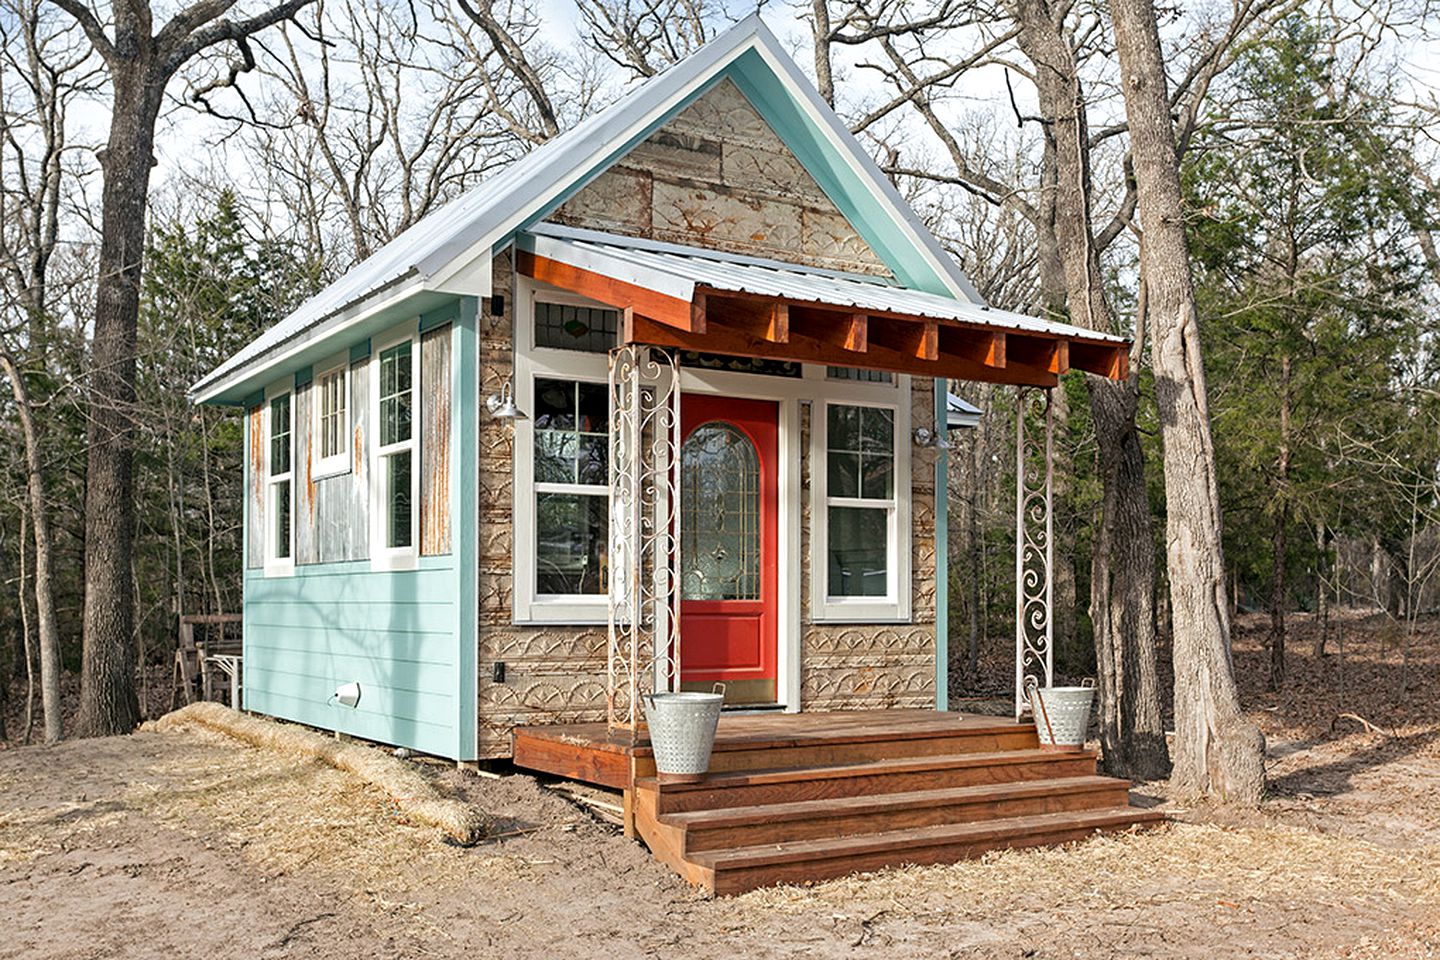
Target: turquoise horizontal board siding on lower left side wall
x,y
394,633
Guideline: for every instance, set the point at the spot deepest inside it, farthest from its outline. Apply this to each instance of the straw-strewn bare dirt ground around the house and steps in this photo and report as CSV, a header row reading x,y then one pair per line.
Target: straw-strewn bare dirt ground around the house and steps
x,y
192,846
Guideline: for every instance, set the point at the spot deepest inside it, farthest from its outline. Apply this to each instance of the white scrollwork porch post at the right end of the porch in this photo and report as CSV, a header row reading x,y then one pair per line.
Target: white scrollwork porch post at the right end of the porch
x,y
1035,542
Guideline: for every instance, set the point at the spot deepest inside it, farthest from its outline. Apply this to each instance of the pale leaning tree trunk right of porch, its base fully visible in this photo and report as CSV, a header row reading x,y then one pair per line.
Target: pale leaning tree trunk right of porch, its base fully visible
x,y
1218,751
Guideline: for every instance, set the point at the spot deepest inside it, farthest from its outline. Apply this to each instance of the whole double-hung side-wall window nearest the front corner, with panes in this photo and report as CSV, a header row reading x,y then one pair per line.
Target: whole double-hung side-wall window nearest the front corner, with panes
x,y
395,473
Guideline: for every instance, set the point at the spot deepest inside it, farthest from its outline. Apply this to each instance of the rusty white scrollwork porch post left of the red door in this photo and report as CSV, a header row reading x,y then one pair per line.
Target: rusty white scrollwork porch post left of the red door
x,y
644,543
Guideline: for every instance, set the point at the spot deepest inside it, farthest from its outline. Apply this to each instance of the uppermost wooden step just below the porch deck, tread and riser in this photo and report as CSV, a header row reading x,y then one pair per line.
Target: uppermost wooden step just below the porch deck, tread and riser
x,y
860,779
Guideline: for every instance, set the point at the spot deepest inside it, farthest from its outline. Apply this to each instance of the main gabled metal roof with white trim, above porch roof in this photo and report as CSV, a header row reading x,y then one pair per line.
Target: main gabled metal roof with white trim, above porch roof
x,y
428,255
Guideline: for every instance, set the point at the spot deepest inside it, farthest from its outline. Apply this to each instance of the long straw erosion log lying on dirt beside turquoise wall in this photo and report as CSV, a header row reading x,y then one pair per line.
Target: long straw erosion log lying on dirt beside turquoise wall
x,y
414,795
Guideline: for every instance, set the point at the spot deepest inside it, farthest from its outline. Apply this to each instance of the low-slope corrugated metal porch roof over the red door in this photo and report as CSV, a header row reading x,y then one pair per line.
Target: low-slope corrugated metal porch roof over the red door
x,y
679,270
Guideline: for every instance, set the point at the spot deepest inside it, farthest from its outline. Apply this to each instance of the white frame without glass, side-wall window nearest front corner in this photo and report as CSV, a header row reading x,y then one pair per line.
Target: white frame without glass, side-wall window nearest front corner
x,y
385,558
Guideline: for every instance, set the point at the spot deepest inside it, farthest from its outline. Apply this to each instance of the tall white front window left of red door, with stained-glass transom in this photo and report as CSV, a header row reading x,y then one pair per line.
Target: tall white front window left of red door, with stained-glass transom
x,y
562,458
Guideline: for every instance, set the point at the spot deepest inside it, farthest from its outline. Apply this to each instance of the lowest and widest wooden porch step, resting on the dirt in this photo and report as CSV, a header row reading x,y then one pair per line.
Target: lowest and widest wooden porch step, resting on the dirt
x,y
738,870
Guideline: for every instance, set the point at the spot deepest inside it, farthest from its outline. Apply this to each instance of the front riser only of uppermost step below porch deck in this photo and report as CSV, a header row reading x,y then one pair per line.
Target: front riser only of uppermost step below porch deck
x,y
898,782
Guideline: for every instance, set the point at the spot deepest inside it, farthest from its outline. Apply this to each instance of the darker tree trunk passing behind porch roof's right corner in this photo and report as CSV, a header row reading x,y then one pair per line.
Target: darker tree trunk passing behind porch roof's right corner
x,y
1122,575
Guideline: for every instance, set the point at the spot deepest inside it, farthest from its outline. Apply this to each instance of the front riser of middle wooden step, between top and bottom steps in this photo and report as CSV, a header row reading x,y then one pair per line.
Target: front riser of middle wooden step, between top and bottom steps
x,y
701,838
